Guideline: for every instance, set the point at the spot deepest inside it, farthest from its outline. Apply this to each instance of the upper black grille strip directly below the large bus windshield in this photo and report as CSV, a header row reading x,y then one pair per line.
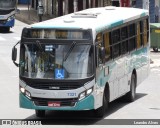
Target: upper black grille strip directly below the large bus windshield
x,y
56,86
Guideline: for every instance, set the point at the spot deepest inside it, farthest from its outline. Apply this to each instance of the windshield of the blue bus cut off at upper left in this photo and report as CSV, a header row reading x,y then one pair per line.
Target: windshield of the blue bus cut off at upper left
x,y
7,4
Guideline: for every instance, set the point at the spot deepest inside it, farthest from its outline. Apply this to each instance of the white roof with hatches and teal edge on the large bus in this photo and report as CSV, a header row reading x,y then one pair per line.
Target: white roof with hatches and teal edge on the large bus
x,y
97,19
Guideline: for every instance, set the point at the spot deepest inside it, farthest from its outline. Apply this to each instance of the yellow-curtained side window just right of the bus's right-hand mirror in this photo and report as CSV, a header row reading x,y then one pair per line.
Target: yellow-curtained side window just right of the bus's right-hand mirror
x,y
106,37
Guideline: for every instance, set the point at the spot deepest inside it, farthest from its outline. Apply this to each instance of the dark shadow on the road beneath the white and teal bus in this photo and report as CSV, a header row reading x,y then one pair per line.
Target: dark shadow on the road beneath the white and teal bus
x,y
80,117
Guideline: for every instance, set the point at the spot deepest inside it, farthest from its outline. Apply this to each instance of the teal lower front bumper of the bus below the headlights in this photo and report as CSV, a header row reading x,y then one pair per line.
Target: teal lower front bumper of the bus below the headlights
x,y
84,104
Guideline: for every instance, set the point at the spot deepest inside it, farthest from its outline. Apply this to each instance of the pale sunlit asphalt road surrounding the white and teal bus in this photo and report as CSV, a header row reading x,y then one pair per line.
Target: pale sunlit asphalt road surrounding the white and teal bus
x,y
146,105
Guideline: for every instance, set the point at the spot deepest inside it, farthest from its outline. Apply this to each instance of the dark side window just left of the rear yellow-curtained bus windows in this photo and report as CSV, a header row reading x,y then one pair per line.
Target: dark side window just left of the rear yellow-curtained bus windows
x,y
132,37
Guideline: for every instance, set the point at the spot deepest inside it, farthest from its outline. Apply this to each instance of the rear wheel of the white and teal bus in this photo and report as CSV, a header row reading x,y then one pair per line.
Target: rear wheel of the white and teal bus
x,y
130,96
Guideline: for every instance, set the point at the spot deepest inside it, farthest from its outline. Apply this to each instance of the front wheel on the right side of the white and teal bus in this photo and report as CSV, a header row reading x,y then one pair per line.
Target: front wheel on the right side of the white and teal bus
x,y
100,112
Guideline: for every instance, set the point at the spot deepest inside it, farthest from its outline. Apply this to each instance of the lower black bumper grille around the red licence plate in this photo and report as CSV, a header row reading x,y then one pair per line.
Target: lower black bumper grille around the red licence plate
x,y
64,102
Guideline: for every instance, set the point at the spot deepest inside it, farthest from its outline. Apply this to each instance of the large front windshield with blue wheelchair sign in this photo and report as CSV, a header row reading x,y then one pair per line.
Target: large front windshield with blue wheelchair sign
x,y
55,61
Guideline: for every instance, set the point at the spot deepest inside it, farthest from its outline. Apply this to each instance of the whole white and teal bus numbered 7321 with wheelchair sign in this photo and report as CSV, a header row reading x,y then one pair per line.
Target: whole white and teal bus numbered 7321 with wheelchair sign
x,y
84,60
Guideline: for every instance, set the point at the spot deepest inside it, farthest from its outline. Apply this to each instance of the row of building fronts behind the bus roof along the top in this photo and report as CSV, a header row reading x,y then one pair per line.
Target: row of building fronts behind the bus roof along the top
x,y
56,8
